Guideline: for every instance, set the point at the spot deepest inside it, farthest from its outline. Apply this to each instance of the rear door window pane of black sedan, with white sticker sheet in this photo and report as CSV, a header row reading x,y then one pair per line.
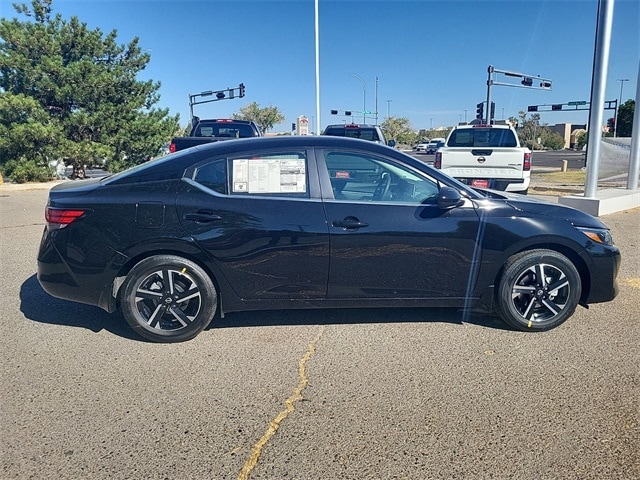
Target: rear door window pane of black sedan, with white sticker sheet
x,y
275,174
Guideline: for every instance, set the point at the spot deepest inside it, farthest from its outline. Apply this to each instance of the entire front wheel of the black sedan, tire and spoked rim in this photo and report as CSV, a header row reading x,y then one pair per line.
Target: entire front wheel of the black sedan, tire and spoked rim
x,y
538,290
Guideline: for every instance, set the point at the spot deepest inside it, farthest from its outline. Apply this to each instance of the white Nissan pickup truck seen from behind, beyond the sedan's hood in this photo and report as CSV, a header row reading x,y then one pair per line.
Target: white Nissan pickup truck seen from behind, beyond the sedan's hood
x,y
486,156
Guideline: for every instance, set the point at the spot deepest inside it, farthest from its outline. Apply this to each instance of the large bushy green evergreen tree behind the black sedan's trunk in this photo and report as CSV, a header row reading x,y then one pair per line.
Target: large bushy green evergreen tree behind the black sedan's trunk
x,y
85,87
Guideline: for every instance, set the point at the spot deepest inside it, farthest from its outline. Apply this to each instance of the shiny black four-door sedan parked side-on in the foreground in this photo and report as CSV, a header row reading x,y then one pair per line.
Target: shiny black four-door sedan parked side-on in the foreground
x,y
313,222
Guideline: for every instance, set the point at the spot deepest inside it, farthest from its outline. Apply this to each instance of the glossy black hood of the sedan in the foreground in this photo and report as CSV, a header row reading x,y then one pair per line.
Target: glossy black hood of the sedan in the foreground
x,y
532,205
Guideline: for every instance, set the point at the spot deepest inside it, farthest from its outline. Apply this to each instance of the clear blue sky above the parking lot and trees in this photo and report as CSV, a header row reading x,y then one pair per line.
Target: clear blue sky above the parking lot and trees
x,y
425,60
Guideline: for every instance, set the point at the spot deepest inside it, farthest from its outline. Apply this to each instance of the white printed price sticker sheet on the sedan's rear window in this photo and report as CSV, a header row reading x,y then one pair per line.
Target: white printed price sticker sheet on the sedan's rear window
x,y
268,175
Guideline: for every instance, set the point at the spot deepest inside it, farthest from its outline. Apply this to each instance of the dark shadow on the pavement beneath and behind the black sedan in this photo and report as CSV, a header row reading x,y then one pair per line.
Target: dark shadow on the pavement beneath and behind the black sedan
x,y
39,306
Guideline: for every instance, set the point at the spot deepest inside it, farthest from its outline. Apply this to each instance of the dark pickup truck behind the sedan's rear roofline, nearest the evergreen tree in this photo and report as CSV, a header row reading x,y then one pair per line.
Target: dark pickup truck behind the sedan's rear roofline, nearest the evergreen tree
x,y
215,130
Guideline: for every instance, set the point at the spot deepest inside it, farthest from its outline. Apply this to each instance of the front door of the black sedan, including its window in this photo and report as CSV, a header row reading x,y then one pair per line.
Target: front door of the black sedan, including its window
x,y
389,239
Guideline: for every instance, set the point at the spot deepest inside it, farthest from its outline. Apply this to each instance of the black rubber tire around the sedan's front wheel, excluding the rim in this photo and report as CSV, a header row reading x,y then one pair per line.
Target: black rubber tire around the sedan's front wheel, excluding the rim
x,y
514,269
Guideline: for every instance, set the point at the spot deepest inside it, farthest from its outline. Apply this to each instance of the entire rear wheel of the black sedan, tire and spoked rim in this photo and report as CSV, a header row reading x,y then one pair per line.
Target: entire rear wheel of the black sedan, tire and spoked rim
x,y
168,299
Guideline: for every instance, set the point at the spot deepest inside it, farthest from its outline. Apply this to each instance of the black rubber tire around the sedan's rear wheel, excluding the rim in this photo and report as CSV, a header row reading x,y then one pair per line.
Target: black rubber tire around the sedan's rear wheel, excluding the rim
x,y
209,298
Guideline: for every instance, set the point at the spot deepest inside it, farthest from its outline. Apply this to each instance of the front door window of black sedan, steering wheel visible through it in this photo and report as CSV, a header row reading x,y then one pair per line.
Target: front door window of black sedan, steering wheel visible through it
x,y
364,177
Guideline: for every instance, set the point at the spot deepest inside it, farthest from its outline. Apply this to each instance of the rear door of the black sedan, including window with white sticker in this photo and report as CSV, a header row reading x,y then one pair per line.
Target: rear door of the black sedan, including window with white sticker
x,y
259,217
